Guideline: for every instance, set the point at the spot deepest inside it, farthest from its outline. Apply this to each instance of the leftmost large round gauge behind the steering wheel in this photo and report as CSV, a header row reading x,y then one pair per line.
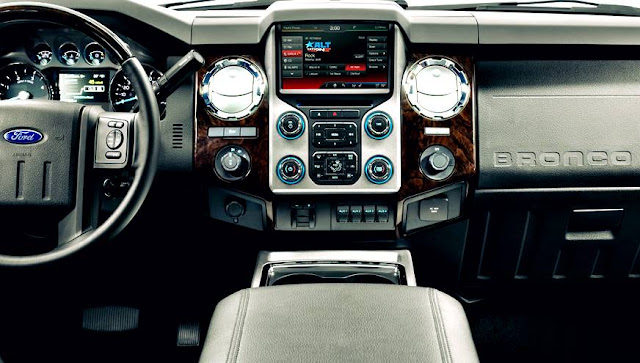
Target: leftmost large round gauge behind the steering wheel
x,y
20,81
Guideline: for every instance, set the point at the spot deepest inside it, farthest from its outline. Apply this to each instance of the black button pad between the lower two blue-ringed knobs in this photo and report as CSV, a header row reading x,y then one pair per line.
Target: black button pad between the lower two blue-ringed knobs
x,y
334,167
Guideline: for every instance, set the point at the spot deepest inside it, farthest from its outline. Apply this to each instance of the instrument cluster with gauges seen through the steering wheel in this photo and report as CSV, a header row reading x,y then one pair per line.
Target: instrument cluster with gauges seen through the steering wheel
x,y
65,66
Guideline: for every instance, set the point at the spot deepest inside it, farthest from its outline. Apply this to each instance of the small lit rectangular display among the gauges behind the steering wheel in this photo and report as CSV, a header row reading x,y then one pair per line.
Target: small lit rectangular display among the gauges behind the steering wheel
x,y
84,86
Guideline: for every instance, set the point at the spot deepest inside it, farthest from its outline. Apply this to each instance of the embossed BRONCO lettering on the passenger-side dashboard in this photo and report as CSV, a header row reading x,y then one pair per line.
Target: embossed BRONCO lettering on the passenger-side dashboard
x,y
561,159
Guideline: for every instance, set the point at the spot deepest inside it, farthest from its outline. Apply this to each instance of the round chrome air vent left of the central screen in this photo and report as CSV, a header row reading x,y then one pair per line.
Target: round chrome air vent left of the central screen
x,y
233,88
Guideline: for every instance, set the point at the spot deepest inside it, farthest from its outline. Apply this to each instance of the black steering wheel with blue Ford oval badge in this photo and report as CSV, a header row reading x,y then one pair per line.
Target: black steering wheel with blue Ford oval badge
x,y
48,147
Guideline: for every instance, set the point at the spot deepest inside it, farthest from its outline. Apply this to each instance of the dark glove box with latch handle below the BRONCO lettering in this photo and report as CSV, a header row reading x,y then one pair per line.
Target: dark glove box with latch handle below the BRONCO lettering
x,y
554,235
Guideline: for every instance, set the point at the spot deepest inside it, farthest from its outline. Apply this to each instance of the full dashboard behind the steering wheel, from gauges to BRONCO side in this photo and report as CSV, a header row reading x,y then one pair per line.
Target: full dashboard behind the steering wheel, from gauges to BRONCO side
x,y
500,145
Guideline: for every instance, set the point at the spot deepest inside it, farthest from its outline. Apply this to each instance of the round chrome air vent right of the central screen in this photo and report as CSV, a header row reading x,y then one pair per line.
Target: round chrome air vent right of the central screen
x,y
436,88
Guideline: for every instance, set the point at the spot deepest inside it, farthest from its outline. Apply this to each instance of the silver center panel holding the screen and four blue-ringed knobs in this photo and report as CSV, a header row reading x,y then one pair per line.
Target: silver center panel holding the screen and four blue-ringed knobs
x,y
335,108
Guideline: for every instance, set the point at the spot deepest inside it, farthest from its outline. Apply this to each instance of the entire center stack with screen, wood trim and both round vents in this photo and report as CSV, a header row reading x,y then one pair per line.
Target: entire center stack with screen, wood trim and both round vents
x,y
336,126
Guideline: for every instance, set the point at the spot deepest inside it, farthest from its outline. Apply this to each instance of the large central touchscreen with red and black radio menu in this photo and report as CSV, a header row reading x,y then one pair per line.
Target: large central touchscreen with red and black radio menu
x,y
335,56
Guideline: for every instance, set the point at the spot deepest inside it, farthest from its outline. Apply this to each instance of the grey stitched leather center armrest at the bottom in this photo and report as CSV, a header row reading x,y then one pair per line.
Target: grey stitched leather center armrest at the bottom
x,y
339,323
